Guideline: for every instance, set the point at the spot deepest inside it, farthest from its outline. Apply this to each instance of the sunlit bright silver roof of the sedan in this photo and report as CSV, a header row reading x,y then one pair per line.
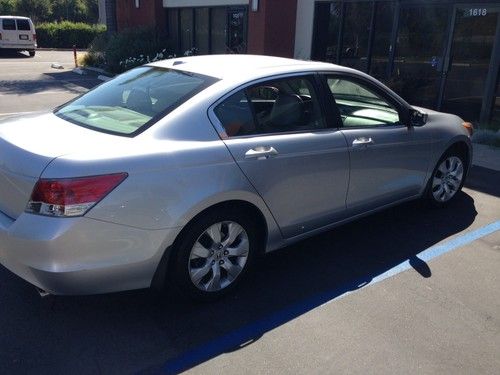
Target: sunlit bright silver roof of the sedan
x,y
229,66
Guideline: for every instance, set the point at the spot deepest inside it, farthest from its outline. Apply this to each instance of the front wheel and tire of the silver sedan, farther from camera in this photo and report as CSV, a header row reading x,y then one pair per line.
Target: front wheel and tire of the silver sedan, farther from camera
x,y
447,179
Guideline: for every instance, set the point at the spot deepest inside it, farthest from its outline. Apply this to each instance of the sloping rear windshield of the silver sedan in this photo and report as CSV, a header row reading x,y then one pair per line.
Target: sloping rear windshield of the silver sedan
x,y
133,101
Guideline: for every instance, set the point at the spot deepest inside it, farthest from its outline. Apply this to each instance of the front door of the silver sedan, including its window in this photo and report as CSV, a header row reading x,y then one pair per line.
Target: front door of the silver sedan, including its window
x,y
388,159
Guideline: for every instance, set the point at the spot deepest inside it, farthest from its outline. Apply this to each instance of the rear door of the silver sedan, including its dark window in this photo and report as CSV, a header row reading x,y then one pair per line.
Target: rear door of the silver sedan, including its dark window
x,y
278,135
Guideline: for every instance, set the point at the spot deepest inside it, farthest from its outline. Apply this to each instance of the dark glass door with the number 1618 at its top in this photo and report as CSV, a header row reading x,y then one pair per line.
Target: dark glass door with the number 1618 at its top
x,y
470,49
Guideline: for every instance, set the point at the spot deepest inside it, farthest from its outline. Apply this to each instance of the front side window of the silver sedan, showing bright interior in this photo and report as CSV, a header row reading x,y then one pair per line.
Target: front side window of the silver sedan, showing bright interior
x,y
361,106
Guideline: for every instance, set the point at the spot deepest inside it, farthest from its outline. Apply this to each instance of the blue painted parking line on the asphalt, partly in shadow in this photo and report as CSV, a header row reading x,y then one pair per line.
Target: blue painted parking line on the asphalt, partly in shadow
x,y
246,333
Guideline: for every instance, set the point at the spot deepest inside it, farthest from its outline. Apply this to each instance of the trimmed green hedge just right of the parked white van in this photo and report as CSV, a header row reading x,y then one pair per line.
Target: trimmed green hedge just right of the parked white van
x,y
66,34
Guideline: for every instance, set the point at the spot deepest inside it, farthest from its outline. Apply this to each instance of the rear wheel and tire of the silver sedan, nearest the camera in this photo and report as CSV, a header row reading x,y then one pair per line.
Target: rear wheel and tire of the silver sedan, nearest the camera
x,y
214,254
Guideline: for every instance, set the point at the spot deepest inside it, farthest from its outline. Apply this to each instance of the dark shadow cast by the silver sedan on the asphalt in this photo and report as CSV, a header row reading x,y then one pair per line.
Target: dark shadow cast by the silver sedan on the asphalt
x,y
147,332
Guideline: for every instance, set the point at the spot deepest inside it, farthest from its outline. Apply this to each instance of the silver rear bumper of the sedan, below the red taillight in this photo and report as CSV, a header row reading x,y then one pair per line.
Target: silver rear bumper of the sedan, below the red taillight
x,y
79,255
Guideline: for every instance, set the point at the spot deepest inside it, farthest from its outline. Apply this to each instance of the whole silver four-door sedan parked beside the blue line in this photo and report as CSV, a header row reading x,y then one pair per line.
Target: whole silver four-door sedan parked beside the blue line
x,y
183,171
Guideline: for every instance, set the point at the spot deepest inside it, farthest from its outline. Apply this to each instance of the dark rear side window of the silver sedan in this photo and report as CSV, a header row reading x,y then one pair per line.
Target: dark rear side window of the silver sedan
x,y
284,105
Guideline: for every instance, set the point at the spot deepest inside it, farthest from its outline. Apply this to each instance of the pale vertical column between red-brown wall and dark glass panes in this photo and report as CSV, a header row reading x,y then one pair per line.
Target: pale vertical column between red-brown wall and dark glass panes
x,y
304,29
